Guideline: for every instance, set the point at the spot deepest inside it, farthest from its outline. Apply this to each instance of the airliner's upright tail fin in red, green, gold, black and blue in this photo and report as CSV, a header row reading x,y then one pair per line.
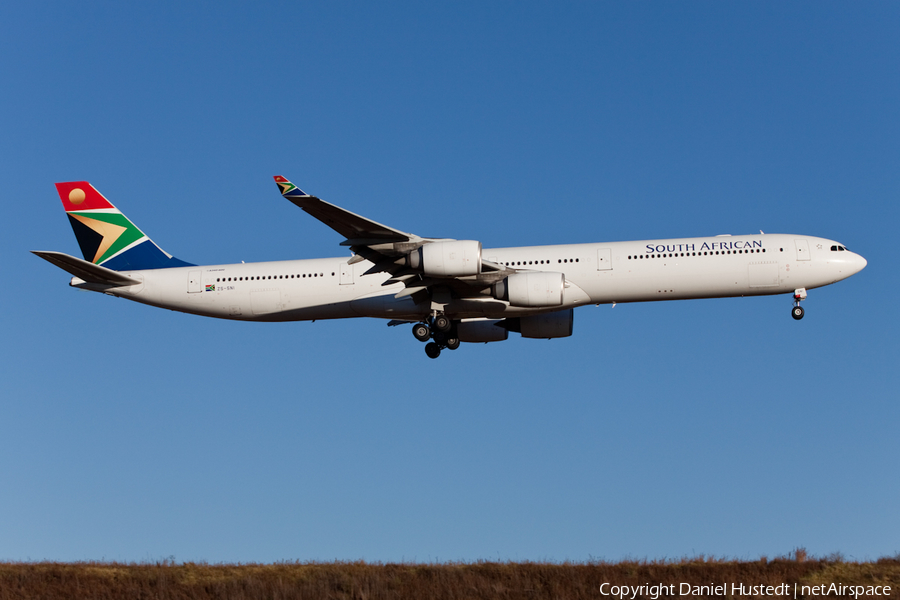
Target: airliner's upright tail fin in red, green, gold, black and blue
x,y
106,236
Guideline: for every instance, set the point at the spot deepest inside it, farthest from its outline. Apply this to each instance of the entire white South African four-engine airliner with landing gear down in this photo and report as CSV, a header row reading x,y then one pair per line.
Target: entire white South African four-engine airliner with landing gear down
x,y
451,291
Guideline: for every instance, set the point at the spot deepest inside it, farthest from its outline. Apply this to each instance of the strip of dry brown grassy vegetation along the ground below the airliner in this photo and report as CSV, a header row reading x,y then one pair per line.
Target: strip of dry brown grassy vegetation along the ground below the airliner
x,y
360,580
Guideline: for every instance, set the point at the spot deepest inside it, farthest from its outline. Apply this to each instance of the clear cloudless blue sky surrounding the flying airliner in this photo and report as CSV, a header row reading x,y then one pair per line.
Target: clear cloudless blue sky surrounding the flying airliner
x,y
719,427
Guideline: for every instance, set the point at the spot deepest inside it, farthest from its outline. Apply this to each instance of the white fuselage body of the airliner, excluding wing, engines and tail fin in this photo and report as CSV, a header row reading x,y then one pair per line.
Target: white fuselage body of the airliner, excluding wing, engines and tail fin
x,y
640,271
